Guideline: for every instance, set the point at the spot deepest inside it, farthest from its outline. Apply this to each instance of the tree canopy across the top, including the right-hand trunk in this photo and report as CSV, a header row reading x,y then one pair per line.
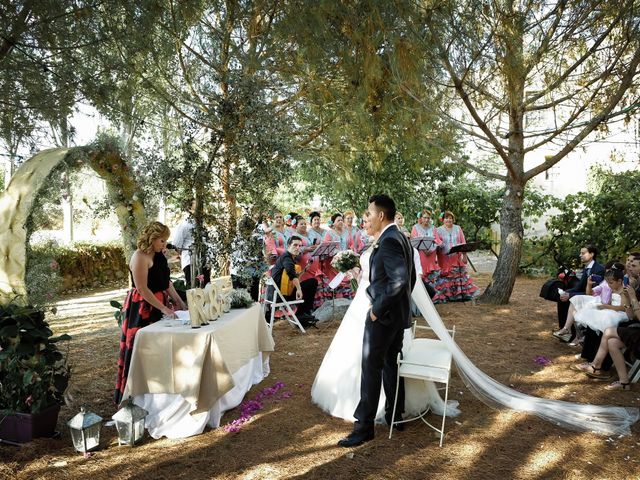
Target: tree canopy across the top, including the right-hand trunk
x,y
230,101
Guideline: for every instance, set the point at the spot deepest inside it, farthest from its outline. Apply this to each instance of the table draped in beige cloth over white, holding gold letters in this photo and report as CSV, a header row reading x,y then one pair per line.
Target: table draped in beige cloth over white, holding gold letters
x,y
187,378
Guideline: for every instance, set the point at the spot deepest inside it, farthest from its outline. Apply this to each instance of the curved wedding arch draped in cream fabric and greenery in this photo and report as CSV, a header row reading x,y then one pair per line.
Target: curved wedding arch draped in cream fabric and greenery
x,y
17,201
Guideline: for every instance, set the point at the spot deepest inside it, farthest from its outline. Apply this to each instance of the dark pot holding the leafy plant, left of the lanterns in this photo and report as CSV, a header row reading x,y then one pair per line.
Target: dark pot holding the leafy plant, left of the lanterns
x,y
23,427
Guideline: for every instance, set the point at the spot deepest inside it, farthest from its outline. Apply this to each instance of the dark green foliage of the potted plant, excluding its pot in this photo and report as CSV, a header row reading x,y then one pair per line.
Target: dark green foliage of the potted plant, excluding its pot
x,y
34,373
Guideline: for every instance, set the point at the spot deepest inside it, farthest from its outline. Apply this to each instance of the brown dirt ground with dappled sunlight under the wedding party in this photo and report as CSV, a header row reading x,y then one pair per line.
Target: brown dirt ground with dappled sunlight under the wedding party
x,y
291,438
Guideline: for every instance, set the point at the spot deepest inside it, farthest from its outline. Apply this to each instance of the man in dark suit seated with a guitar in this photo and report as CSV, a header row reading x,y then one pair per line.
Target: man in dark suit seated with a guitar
x,y
286,275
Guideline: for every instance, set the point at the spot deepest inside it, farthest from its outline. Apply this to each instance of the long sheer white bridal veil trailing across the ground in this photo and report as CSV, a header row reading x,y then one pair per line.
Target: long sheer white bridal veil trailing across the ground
x,y
601,419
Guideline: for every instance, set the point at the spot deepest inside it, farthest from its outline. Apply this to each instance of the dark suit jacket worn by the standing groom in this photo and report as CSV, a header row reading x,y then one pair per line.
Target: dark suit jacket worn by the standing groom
x,y
391,278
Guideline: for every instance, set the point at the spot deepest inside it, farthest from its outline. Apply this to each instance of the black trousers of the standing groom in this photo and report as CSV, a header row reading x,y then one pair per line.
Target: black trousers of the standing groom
x,y
381,345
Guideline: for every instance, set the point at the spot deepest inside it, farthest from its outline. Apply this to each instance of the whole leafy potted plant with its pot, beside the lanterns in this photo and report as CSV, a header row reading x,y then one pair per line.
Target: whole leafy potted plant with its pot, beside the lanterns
x,y
34,374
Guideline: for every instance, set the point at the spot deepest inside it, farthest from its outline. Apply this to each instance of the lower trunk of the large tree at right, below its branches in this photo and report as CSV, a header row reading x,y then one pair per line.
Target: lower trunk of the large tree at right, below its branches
x,y
512,233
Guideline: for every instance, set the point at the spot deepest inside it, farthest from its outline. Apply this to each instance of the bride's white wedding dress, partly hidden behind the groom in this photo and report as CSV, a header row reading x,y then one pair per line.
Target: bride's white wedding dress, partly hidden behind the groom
x,y
336,389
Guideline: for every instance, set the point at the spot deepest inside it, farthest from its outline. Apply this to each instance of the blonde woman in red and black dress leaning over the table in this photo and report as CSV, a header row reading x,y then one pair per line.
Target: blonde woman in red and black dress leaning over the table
x,y
146,302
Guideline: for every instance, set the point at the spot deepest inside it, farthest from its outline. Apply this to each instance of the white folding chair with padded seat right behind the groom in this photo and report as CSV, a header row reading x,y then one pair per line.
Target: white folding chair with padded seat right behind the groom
x,y
427,359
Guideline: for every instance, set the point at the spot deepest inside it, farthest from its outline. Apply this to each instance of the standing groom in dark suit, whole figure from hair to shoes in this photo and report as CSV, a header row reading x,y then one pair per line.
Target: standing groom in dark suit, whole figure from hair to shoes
x,y
391,278
